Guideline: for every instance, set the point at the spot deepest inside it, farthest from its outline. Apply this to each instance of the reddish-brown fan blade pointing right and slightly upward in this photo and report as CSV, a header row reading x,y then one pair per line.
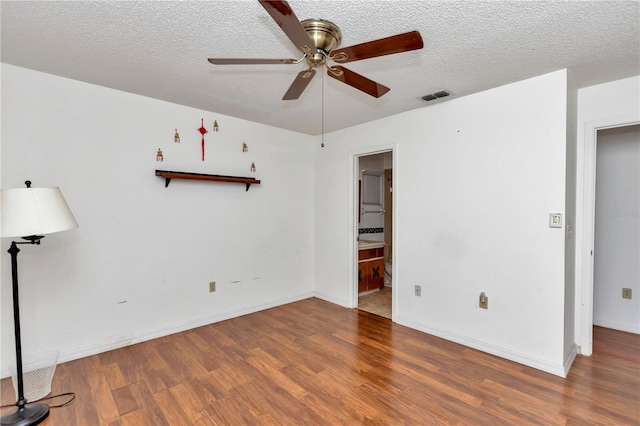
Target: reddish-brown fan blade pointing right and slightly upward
x,y
385,46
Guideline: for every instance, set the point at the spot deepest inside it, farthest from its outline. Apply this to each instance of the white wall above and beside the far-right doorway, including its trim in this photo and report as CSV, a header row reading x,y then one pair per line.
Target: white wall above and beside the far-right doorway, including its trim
x,y
605,105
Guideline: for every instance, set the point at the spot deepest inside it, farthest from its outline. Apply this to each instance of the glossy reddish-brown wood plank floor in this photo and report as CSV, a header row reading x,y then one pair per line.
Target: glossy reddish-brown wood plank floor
x,y
315,363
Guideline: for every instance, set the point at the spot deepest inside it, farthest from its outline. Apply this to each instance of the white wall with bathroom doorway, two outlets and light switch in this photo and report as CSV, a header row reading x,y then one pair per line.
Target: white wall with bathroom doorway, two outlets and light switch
x,y
475,179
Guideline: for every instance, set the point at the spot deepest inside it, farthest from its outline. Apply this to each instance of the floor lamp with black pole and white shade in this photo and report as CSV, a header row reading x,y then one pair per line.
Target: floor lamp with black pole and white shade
x,y
29,213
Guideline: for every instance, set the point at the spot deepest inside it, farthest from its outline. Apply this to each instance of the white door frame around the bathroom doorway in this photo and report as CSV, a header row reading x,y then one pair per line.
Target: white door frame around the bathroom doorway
x,y
354,158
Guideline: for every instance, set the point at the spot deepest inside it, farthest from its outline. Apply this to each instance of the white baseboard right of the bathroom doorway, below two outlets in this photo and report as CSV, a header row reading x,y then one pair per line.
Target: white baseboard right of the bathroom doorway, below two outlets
x,y
520,358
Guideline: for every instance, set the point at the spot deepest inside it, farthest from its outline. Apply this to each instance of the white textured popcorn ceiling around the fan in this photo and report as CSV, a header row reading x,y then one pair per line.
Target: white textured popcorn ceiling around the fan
x,y
160,50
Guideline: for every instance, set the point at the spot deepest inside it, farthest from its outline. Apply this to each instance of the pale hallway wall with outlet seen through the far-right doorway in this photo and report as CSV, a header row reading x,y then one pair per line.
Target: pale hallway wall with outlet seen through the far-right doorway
x,y
617,230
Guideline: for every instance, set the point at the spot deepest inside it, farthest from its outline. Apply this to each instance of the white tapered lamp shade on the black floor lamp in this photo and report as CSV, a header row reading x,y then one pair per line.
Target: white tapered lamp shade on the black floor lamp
x,y
34,211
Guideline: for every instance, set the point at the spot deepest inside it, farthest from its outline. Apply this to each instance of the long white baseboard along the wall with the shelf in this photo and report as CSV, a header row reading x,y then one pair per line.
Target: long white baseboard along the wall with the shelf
x,y
101,347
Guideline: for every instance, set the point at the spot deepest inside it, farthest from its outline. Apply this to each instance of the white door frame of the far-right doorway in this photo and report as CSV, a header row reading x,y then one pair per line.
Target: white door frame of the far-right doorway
x,y
586,212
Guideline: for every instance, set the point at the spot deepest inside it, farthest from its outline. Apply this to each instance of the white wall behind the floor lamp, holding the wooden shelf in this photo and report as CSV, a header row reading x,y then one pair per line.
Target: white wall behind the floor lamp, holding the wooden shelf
x,y
140,262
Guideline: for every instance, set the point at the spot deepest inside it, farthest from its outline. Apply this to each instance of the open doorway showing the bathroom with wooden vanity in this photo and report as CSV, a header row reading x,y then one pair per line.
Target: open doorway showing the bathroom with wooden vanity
x,y
375,251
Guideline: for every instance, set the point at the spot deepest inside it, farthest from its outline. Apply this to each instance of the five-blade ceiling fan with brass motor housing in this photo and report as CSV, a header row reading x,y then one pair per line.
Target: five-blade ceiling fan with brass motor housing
x,y
318,39
